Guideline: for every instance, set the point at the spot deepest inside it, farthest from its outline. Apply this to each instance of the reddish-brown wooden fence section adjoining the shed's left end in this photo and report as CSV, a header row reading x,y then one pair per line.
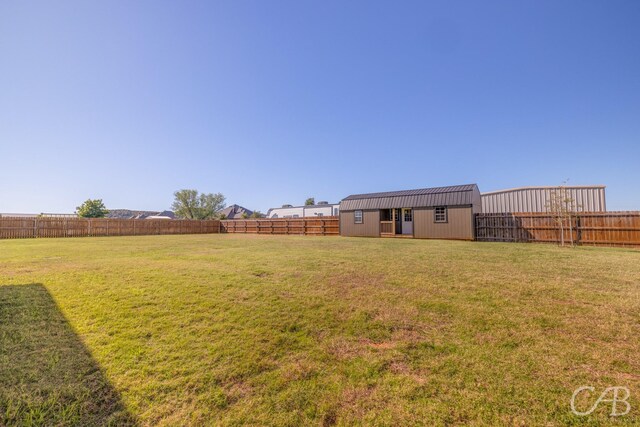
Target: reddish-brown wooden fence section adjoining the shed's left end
x,y
308,226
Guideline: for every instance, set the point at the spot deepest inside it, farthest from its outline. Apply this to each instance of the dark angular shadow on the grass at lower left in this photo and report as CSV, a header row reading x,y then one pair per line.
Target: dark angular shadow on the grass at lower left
x,y
47,375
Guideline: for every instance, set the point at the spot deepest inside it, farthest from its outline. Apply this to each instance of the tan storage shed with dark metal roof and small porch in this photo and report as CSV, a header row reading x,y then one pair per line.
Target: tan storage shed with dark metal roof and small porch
x,y
428,213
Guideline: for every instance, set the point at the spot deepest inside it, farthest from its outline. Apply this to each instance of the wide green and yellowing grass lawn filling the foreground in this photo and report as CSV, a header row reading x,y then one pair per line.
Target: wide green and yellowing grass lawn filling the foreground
x,y
262,330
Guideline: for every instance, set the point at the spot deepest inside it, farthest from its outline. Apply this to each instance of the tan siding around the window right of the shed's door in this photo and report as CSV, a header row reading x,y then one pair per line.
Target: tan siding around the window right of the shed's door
x,y
459,225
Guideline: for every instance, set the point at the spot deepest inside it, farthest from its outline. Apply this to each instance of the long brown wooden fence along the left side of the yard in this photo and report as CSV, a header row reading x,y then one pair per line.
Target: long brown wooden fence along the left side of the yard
x,y
17,227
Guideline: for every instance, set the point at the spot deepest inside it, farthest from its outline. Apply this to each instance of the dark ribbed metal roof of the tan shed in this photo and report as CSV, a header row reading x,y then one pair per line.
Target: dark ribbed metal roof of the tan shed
x,y
438,196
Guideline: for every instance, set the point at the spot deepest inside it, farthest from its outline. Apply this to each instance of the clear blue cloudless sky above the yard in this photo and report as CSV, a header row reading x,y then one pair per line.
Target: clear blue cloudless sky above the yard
x,y
270,102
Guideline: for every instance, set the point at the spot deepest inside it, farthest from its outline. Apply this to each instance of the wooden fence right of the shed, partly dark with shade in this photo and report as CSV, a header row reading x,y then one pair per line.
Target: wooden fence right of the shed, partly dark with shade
x,y
584,228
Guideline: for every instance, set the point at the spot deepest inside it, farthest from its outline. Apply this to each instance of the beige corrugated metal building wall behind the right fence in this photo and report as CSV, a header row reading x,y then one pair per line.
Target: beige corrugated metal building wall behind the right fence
x,y
535,199
